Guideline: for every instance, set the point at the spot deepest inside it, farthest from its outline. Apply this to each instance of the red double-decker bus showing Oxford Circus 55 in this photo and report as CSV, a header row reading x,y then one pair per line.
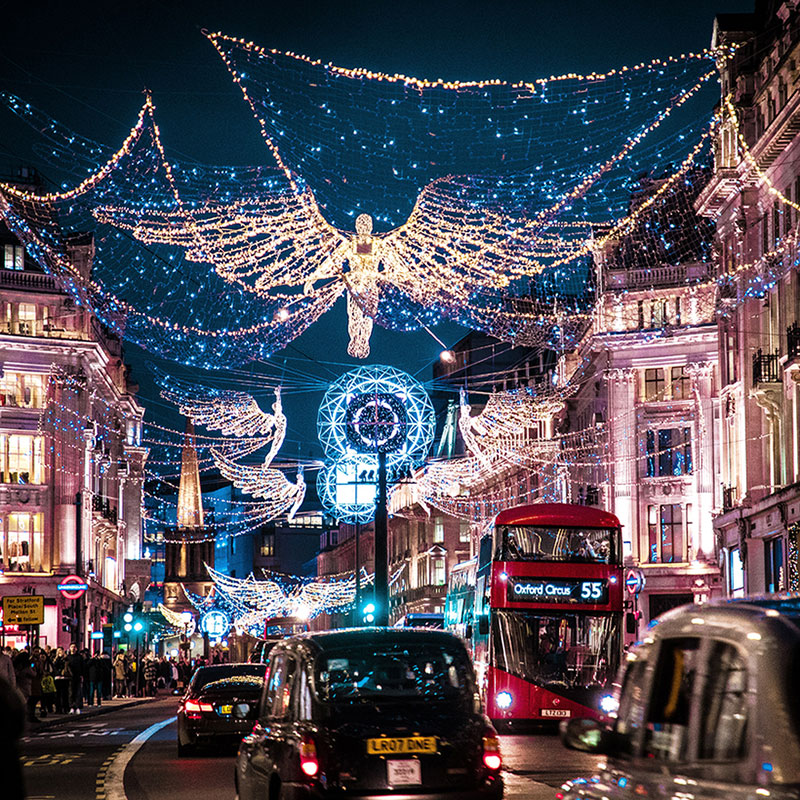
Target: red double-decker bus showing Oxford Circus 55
x,y
547,608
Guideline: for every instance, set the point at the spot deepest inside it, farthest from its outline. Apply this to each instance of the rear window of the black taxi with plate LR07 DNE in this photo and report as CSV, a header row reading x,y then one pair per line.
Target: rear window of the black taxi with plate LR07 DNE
x,y
407,673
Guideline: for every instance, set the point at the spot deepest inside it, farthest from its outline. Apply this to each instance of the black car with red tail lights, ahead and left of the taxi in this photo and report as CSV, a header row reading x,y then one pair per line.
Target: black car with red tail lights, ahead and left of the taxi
x,y
219,705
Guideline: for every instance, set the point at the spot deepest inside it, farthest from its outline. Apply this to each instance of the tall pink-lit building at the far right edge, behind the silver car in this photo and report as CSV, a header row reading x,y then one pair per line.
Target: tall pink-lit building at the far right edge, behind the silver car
x,y
754,195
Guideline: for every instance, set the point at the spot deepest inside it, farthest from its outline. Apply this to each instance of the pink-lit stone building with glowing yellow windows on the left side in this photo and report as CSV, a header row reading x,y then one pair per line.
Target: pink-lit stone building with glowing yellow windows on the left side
x,y
71,460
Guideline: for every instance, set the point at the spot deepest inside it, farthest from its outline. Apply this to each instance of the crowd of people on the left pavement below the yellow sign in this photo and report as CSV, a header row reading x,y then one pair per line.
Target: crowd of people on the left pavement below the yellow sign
x,y
55,680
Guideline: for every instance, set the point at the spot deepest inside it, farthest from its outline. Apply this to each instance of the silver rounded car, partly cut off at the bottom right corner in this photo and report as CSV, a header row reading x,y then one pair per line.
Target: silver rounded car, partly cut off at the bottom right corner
x,y
708,706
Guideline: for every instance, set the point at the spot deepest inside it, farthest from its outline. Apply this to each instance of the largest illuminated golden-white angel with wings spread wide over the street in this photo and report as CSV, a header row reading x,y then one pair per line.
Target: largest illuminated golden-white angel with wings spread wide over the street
x,y
281,243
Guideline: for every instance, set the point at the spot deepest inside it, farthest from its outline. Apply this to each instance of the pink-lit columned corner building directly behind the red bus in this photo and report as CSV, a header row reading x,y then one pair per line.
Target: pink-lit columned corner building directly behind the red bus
x,y
646,379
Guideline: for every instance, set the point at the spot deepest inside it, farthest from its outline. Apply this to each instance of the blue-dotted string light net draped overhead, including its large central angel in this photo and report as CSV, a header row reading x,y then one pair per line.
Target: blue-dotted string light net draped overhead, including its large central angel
x,y
417,200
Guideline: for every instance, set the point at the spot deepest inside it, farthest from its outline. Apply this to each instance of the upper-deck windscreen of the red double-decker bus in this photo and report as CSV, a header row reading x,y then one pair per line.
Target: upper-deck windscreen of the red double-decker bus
x,y
548,543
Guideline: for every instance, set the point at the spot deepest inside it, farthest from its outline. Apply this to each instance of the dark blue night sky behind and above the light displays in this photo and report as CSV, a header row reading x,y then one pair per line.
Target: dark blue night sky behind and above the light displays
x,y
87,64
